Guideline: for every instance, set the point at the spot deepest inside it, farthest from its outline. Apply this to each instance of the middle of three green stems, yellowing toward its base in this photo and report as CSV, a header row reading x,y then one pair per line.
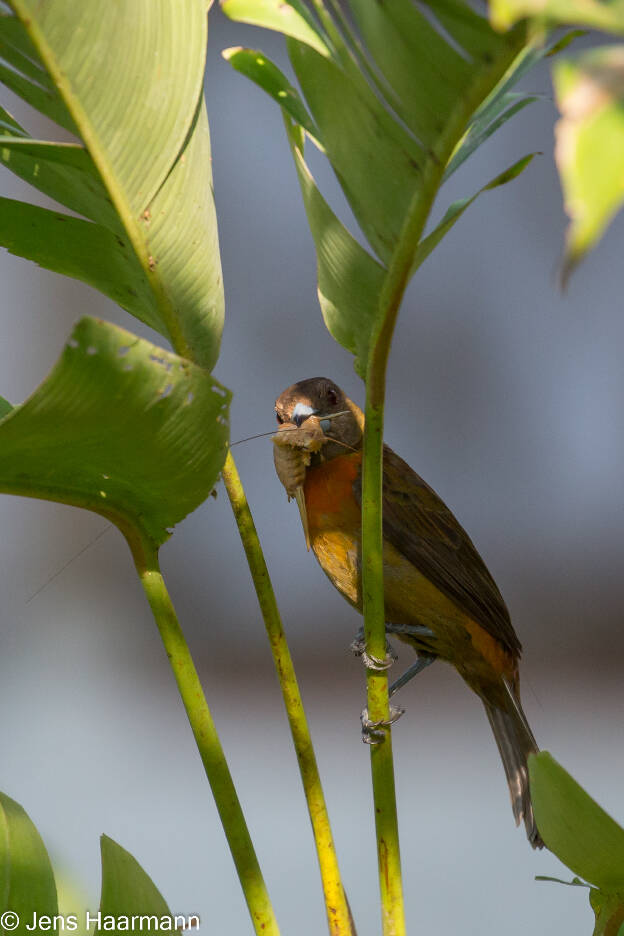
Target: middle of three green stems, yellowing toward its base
x,y
338,913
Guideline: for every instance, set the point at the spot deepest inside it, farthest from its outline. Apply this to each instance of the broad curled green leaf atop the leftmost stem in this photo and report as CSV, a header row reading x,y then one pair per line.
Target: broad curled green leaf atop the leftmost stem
x,y
121,427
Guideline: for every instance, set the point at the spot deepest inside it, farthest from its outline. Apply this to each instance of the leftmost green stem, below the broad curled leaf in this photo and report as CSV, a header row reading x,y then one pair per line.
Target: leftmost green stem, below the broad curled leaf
x,y
209,746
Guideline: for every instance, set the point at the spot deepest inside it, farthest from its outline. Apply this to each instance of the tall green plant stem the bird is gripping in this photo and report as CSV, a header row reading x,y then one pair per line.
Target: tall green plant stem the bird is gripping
x,y
396,280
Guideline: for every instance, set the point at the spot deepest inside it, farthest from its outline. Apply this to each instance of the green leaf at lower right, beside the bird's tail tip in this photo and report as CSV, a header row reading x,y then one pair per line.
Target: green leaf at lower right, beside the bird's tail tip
x,y
579,832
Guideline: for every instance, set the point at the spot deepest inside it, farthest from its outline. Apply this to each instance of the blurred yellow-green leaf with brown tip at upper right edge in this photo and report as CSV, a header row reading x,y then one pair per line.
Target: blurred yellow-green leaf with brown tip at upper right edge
x,y
590,144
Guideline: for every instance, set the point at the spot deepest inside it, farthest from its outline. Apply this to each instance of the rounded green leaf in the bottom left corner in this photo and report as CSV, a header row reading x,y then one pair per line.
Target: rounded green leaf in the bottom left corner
x,y
26,877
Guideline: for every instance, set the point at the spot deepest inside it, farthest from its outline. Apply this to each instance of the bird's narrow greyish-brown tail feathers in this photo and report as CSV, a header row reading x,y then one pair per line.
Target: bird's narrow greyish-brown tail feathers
x,y
515,742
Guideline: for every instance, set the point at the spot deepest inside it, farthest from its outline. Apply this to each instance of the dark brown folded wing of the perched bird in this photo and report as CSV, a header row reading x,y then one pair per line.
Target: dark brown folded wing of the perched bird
x,y
418,523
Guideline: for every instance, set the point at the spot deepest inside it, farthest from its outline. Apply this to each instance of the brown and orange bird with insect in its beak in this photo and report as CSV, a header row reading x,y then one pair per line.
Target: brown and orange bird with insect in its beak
x,y
439,596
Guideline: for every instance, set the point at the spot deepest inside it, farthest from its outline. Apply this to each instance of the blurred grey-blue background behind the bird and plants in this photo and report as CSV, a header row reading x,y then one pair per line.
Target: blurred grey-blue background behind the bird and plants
x,y
504,393
